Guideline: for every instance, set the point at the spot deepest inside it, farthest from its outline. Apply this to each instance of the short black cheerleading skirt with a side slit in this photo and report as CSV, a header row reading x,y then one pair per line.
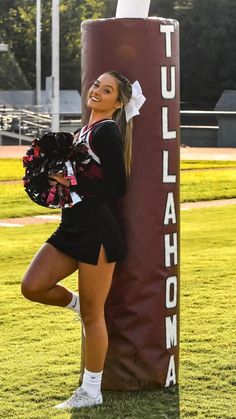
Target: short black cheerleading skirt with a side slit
x,y
84,228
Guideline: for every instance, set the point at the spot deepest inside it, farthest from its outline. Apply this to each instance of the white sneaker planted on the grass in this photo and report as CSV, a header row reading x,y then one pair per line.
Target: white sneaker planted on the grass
x,y
80,398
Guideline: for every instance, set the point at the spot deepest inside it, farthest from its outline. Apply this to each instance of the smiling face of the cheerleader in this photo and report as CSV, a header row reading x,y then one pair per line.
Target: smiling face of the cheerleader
x,y
103,95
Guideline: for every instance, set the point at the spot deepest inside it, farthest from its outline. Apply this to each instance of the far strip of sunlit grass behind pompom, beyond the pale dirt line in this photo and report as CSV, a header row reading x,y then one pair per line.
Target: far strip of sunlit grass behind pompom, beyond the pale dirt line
x,y
196,185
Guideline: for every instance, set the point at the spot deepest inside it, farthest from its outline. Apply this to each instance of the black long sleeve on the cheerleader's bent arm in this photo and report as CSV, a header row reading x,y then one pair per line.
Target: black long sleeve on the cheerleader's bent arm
x,y
107,145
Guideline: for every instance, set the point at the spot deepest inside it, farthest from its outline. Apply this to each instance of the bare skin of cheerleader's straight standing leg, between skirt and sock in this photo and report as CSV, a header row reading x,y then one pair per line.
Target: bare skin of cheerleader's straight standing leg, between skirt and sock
x,y
94,285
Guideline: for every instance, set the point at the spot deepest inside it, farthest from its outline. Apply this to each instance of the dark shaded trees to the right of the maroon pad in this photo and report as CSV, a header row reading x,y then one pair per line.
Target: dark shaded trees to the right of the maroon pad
x,y
208,53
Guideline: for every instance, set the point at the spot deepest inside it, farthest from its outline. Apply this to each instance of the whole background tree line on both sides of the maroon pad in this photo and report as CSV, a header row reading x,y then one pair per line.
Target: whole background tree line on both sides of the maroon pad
x,y
207,42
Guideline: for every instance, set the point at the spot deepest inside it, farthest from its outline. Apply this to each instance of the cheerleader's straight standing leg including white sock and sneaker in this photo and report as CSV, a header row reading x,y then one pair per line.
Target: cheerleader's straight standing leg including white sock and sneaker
x,y
94,285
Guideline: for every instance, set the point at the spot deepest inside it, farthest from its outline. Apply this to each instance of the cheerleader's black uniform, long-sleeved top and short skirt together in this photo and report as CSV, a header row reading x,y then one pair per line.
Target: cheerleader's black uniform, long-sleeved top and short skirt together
x,y
90,223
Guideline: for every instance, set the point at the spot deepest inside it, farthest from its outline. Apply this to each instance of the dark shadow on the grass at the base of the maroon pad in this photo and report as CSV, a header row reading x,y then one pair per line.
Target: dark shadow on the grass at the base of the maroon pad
x,y
159,404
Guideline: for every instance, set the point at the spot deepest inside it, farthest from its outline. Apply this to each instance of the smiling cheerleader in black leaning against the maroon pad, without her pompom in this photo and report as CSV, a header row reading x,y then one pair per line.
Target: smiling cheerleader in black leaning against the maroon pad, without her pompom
x,y
88,237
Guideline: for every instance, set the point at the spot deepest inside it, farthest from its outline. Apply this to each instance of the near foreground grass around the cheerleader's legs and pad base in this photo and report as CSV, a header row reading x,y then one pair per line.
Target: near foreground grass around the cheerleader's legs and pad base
x,y
40,354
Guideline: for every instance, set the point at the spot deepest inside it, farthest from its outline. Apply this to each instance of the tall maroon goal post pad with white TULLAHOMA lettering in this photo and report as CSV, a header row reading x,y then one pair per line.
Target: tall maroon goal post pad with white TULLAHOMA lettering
x,y
142,309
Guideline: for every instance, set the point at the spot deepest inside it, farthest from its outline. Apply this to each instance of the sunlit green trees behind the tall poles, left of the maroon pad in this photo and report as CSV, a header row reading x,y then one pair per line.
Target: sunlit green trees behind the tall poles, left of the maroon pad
x,y
18,28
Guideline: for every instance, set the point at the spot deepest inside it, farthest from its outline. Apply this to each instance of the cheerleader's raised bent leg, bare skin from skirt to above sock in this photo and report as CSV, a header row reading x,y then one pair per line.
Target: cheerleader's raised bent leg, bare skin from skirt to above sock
x,y
48,267
